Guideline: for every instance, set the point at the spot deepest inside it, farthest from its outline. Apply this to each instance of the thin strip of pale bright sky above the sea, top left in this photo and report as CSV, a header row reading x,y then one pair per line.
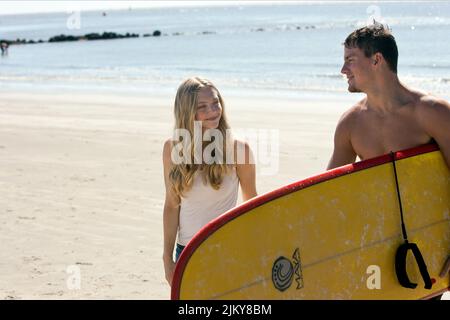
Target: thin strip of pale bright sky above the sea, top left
x,y
35,6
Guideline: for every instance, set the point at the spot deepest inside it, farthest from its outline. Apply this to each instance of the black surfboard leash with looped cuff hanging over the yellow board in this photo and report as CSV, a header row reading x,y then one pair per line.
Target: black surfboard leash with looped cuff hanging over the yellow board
x,y
402,251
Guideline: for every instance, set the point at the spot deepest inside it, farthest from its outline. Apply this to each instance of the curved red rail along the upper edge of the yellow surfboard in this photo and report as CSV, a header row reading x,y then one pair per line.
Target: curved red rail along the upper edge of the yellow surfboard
x,y
215,224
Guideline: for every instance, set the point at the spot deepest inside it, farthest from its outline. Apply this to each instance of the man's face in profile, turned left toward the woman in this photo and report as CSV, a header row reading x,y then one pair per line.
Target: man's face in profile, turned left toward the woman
x,y
358,68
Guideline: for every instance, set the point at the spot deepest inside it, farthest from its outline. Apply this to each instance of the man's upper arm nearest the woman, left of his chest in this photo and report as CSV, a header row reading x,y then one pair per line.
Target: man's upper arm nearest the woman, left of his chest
x,y
343,152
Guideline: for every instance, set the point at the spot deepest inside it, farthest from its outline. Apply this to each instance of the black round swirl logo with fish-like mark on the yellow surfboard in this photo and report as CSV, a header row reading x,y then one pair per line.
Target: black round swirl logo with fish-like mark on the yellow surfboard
x,y
284,270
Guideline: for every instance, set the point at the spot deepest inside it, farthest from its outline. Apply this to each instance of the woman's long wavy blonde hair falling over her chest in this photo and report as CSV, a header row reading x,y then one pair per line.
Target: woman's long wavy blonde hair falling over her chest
x,y
181,175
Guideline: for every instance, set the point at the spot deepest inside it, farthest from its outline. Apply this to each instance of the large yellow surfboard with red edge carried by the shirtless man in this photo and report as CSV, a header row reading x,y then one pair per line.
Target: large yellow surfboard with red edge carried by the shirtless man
x,y
331,236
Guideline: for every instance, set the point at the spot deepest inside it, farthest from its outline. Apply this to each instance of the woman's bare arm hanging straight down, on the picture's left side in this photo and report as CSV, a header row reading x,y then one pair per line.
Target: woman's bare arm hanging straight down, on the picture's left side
x,y
170,216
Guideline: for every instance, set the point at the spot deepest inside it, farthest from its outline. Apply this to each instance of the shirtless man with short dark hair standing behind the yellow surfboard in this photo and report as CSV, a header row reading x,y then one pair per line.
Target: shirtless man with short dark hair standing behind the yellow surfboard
x,y
392,117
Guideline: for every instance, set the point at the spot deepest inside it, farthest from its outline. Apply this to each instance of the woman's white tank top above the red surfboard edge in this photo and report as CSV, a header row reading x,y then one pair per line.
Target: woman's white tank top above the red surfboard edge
x,y
202,204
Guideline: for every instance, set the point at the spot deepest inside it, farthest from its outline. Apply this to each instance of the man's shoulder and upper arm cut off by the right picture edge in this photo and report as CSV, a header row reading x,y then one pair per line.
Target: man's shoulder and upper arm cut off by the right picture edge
x,y
434,116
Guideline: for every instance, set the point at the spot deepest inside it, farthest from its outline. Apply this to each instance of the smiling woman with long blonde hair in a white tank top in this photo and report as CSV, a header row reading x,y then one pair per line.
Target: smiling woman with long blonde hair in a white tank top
x,y
201,182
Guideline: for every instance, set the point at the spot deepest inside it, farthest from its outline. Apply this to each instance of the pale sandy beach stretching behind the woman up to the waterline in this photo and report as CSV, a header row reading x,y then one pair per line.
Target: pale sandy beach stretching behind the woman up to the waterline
x,y
82,186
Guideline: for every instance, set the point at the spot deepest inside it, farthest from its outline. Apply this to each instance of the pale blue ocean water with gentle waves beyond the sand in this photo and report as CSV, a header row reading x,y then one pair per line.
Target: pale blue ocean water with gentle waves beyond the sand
x,y
264,50
